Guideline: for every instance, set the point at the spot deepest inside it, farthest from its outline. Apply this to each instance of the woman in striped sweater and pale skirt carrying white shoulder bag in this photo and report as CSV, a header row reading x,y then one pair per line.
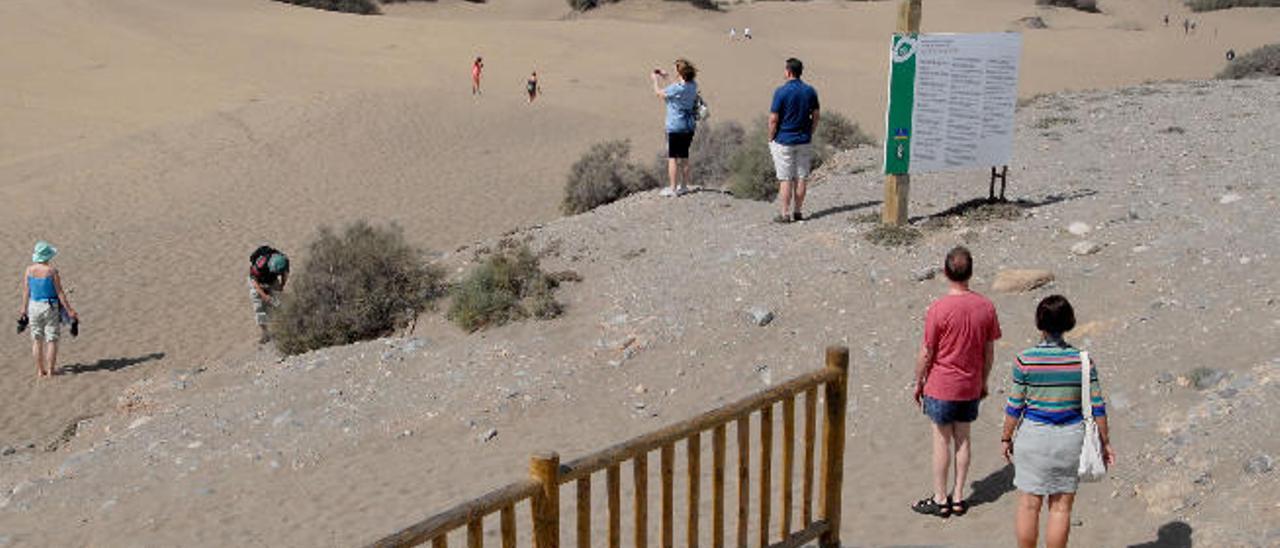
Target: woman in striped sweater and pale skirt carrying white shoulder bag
x,y
1045,409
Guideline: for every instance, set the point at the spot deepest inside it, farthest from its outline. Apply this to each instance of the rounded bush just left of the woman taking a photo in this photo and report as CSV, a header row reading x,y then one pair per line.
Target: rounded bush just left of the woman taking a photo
x,y
602,176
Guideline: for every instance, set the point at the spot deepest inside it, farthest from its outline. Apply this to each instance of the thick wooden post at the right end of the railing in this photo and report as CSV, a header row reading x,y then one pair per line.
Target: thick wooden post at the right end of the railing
x,y
834,445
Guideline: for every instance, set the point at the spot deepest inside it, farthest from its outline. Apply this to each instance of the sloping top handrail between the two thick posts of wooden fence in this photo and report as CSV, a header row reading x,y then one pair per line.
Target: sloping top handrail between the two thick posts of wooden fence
x,y
625,451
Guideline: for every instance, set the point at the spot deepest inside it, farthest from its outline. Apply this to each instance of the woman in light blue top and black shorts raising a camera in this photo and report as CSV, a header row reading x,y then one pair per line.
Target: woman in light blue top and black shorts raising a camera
x,y
682,101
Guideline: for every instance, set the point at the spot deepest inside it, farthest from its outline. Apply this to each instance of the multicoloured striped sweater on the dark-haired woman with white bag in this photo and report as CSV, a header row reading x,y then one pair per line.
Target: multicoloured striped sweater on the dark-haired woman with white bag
x,y
1046,386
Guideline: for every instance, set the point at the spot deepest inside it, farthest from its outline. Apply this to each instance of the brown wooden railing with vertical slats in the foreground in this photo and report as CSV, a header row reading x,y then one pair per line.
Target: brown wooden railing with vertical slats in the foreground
x,y
547,476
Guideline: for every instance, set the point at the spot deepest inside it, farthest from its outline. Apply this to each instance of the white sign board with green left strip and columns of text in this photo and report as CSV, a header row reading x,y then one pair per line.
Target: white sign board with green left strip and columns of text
x,y
952,102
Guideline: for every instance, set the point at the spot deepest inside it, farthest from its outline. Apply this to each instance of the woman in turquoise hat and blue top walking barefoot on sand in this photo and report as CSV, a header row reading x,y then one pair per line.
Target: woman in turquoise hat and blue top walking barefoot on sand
x,y
44,304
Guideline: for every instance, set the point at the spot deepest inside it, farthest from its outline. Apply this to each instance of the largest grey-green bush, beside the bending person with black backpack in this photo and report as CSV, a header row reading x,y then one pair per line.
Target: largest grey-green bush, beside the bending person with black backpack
x,y
359,285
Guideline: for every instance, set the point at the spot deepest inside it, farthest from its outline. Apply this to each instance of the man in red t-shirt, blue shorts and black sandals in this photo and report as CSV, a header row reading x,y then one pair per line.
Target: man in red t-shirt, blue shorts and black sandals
x,y
961,332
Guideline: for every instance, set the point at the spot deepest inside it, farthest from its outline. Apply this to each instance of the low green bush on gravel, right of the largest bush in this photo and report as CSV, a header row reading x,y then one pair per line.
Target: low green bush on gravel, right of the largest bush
x,y
508,286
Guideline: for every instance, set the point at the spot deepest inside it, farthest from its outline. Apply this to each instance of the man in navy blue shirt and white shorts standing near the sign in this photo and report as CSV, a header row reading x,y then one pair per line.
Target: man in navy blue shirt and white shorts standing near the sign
x,y
793,118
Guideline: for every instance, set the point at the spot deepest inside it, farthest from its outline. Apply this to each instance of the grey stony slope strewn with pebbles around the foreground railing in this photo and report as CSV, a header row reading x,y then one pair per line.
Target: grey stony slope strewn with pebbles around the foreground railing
x,y
342,446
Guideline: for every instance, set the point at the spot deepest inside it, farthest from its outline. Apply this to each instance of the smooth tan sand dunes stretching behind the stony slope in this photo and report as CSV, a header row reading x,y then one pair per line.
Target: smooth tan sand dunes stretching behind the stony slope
x,y
158,143
